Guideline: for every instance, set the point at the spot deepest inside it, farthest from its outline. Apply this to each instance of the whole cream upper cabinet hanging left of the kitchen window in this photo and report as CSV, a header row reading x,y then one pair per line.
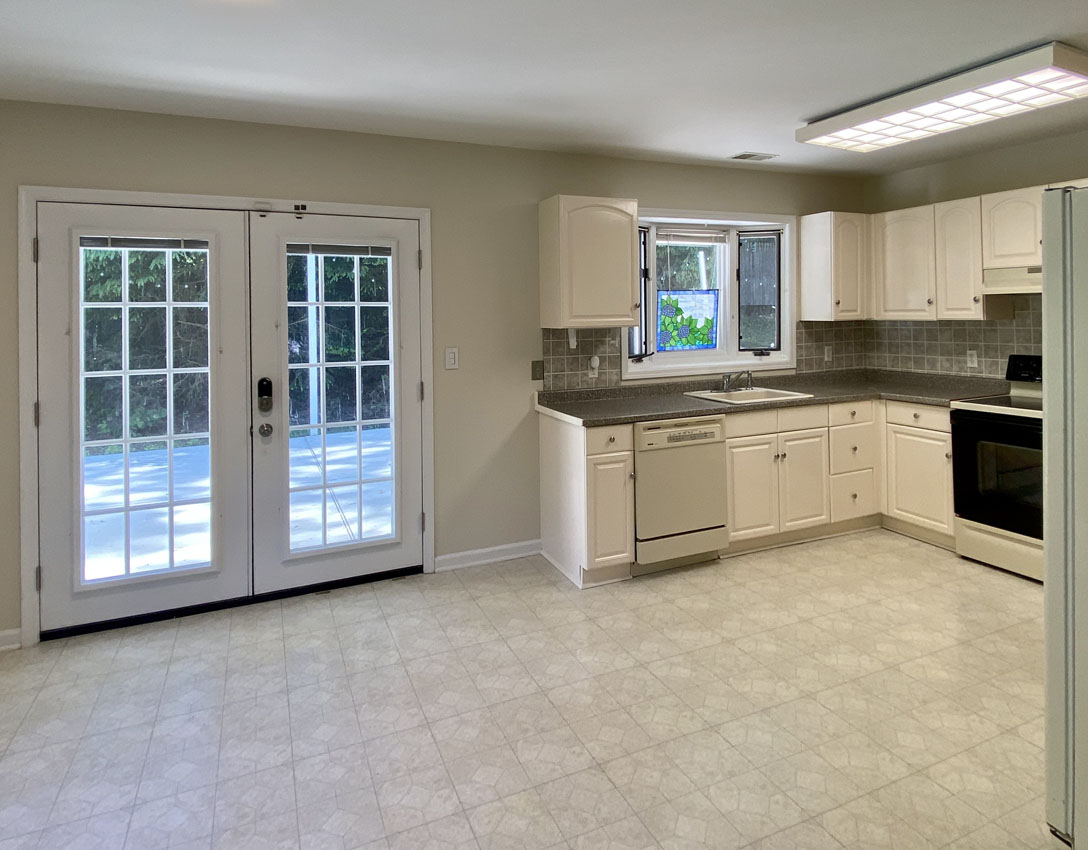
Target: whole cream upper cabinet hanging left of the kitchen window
x,y
589,256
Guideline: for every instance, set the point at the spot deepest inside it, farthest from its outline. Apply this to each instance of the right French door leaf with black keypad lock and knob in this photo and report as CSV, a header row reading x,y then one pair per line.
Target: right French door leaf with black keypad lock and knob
x,y
338,450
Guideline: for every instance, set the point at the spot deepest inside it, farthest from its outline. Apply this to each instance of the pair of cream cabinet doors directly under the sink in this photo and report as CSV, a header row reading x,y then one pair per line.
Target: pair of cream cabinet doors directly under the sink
x,y
777,483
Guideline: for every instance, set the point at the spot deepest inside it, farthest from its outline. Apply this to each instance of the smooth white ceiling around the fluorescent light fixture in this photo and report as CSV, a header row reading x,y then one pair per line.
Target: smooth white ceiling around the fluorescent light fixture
x,y
675,80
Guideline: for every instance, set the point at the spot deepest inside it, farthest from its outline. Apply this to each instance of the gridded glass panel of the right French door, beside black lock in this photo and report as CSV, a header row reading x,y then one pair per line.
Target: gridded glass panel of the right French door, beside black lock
x,y
340,379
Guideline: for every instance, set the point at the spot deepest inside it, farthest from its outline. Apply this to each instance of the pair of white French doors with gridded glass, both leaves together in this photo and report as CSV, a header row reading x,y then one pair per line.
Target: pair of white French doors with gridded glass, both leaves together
x,y
170,475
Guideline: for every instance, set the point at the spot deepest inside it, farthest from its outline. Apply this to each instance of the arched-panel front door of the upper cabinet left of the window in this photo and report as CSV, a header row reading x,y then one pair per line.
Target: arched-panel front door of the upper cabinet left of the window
x,y
600,261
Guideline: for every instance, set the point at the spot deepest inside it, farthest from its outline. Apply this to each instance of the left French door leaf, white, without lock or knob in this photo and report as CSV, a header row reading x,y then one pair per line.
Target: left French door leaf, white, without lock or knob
x,y
143,444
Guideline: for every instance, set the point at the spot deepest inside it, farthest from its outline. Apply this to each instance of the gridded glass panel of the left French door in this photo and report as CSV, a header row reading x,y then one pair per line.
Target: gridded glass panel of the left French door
x,y
145,448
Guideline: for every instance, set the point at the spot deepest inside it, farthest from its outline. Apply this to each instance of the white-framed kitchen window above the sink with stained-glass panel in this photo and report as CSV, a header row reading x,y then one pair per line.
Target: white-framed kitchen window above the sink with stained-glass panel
x,y
716,298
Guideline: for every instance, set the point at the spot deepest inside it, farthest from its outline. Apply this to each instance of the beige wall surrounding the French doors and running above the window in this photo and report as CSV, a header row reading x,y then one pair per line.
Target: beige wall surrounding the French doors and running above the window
x,y
484,202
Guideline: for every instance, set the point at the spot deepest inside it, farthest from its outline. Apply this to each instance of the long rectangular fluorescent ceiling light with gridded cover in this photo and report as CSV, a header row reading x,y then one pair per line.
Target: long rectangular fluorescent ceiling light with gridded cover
x,y
1033,80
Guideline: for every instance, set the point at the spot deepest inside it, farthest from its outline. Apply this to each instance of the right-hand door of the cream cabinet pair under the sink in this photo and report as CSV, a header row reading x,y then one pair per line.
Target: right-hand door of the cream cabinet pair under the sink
x,y
803,483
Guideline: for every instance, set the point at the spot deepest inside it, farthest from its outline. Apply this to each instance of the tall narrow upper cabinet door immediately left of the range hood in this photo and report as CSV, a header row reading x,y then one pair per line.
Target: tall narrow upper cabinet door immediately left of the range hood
x,y
958,230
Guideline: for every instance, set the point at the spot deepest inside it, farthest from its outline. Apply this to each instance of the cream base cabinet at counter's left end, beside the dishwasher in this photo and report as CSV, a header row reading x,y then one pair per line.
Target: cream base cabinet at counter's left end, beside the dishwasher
x,y
588,500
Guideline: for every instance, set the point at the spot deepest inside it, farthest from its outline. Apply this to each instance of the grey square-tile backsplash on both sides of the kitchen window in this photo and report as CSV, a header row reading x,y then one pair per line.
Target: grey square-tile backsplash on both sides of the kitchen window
x,y
939,348
